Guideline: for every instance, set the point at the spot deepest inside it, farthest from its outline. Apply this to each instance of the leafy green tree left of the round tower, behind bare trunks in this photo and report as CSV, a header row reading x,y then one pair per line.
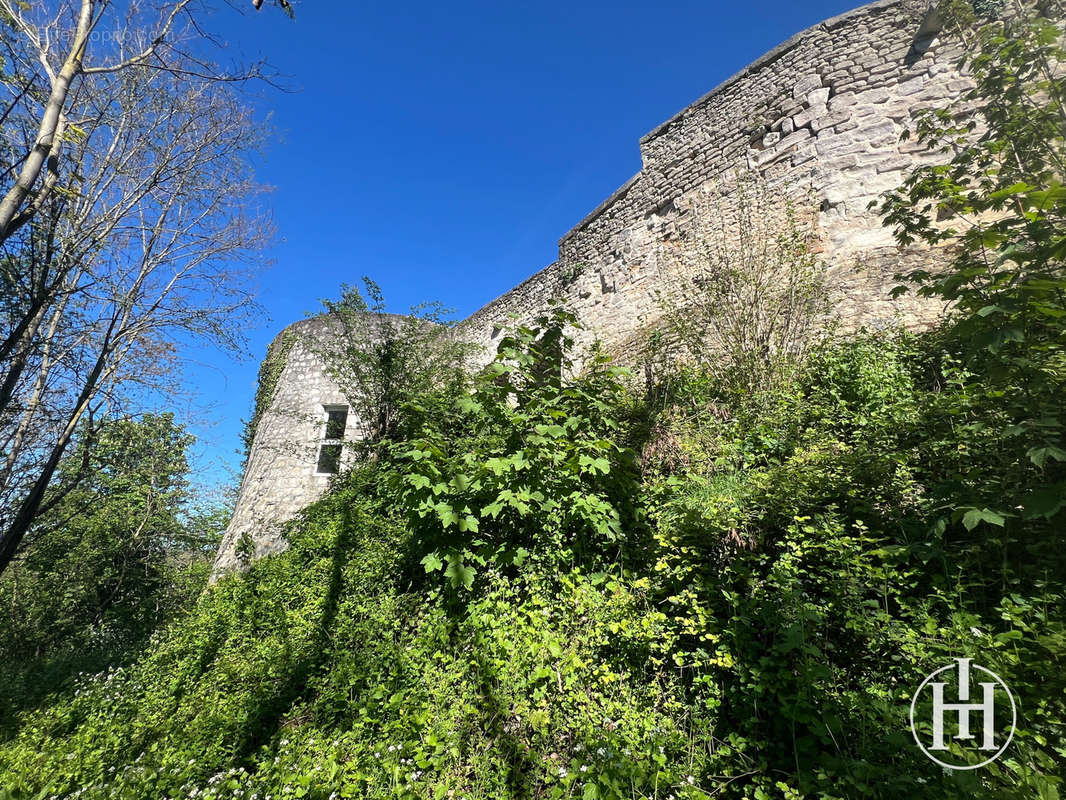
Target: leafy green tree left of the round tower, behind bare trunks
x,y
98,568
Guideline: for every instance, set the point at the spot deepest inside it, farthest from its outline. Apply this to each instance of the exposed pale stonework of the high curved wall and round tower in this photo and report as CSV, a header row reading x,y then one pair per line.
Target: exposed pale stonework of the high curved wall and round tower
x,y
820,117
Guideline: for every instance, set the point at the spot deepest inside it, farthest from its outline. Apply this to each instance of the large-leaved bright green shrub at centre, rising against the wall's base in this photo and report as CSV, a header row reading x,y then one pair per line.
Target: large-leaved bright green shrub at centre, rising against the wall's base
x,y
532,466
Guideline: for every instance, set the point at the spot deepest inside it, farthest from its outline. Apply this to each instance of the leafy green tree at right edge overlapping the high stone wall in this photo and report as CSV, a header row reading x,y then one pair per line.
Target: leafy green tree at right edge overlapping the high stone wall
x,y
998,199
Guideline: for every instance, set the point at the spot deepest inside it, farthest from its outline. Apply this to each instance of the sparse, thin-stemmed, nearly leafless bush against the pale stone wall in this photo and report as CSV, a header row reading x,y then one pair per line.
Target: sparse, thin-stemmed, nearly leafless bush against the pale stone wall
x,y
749,298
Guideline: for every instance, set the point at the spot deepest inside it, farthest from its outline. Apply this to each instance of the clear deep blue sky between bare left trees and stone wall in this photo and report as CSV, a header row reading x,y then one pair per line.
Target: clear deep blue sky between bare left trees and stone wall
x,y
444,150
